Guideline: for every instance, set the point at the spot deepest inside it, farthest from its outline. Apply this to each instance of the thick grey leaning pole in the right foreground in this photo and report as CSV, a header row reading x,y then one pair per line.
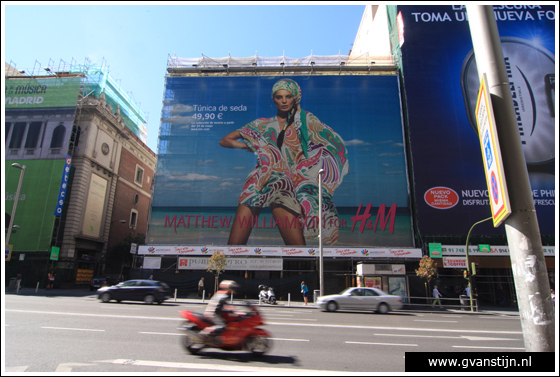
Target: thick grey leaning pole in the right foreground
x,y
522,230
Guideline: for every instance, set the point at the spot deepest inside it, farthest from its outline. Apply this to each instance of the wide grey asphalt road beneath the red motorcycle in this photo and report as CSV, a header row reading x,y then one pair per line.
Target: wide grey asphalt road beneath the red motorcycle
x,y
81,334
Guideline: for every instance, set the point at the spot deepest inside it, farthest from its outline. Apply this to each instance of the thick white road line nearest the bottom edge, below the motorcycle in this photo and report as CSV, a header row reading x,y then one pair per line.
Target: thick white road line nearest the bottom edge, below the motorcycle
x,y
220,367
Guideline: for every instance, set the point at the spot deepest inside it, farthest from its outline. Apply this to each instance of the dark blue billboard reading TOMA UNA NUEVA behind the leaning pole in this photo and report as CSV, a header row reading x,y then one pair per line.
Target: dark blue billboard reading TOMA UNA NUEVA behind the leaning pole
x,y
441,84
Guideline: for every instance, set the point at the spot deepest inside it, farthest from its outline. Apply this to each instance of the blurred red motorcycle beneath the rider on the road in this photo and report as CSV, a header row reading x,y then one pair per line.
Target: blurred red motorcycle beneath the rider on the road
x,y
241,332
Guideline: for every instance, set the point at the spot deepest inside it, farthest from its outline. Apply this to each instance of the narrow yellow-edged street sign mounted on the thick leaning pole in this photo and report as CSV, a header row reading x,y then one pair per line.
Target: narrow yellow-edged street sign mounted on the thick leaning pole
x,y
492,155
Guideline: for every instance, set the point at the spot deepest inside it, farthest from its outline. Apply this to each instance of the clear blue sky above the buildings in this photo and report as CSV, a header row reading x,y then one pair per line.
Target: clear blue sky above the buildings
x,y
136,40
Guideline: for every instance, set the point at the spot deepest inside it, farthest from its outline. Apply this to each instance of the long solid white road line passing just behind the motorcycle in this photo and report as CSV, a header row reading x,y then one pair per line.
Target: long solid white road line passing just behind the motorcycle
x,y
324,325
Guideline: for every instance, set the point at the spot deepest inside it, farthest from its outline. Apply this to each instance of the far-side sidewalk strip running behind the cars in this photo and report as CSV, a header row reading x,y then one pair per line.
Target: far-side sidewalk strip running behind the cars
x,y
78,292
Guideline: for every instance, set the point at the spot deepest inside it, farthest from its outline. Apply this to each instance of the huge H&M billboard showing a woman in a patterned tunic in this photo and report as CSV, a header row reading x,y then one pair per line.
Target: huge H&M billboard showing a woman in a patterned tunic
x,y
348,125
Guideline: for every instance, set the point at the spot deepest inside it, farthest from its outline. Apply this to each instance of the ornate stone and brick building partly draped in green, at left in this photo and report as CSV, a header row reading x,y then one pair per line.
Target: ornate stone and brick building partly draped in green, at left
x,y
73,144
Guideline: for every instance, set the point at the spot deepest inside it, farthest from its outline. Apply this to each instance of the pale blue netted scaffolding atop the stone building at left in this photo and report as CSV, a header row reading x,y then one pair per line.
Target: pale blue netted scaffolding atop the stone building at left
x,y
95,80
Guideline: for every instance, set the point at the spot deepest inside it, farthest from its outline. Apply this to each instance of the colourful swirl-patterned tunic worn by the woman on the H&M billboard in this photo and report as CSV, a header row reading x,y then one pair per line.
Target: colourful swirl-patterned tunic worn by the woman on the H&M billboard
x,y
289,176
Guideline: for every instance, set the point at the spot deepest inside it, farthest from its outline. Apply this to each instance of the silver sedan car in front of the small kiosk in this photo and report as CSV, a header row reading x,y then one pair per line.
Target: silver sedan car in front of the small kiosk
x,y
360,299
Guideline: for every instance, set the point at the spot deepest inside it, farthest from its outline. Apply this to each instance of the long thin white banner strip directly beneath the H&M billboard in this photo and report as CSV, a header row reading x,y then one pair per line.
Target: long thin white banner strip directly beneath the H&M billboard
x,y
280,251
